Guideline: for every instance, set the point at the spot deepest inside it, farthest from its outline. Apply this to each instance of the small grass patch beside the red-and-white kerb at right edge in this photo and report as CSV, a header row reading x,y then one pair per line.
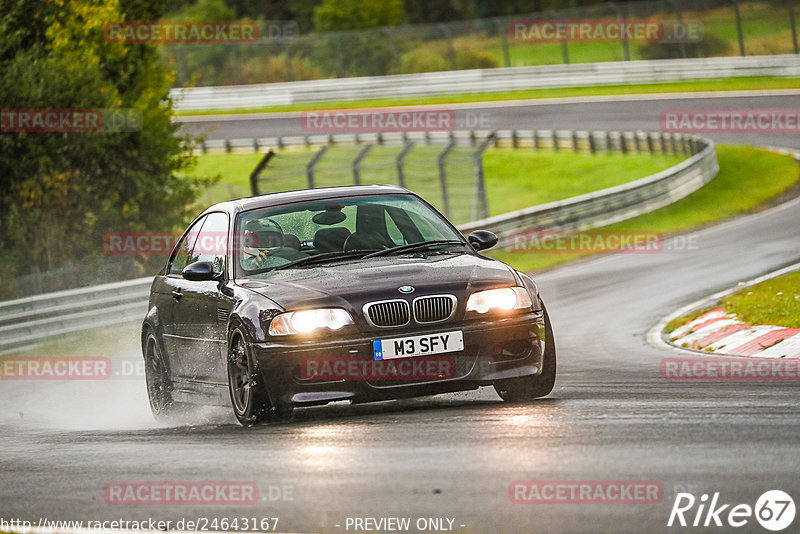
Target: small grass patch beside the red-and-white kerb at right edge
x,y
774,302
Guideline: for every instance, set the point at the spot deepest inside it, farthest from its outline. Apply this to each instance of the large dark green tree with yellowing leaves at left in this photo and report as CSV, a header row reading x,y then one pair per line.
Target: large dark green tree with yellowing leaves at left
x,y
64,190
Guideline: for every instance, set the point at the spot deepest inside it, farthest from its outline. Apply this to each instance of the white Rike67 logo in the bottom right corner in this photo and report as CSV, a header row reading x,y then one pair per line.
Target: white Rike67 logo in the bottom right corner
x,y
774,510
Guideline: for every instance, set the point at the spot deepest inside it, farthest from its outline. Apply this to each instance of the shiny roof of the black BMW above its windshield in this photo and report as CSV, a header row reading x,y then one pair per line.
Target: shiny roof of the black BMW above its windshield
x,y
276,199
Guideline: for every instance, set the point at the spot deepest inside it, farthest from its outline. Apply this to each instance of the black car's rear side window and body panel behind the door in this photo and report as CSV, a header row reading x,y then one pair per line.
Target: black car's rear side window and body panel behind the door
x,y
170,293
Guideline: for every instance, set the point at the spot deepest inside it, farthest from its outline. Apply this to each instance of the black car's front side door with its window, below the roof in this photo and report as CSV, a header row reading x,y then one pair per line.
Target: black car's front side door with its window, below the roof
x,y
201,313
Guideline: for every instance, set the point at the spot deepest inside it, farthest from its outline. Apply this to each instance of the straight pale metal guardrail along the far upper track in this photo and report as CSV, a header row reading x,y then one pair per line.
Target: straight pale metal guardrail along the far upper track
x,y
483,80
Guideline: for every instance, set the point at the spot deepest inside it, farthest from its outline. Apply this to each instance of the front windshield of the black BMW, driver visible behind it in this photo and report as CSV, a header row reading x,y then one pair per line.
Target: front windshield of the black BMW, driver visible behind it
x,y
324,231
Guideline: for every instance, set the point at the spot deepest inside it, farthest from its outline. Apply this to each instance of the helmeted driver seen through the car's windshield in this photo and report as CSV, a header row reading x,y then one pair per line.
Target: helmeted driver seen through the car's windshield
x,y
263,246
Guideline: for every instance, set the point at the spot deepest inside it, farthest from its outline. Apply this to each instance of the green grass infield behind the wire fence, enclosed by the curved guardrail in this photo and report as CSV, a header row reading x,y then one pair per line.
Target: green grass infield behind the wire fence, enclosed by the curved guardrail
x,y
515,179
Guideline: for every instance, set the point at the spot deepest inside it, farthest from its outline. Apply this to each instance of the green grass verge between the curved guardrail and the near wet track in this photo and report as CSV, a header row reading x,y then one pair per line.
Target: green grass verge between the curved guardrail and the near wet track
x,y
740,187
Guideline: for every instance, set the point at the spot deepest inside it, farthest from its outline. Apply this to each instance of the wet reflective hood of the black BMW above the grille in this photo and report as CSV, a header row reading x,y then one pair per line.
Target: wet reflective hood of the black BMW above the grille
x,y
354,283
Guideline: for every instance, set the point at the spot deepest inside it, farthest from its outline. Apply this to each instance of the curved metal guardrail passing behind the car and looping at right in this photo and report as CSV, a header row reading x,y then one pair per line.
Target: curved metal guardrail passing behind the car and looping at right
x,y
30,321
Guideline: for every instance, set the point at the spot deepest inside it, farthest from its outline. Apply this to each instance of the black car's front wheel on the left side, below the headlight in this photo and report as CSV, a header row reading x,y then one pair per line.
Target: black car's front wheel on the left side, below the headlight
x,y
249,397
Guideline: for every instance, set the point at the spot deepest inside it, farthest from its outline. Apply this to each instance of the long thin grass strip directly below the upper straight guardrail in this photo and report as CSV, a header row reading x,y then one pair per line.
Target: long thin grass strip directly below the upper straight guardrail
x,y
722,84
